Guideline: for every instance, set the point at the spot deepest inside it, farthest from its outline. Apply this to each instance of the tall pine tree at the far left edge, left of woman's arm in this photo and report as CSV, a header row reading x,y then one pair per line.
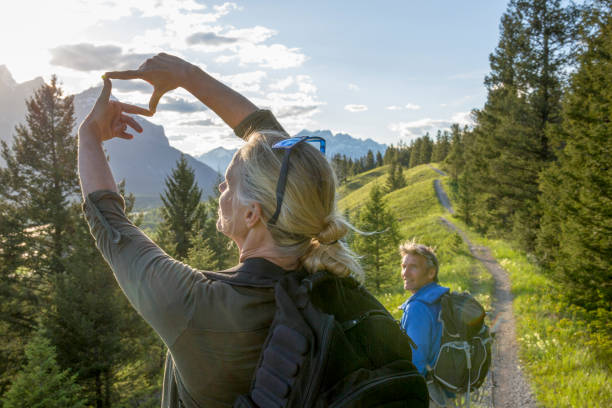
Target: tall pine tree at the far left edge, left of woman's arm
x,y
38,188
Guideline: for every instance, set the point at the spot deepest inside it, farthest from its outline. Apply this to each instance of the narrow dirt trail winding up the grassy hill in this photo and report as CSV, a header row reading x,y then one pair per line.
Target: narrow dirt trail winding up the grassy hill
x,y
510,388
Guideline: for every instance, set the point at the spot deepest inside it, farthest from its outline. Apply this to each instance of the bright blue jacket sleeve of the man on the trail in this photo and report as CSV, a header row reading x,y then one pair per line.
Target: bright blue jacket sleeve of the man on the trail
x,y
419,326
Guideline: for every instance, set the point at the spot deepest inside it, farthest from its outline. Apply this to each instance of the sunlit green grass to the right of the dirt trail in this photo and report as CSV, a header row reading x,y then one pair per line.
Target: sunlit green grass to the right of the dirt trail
x,y
566,352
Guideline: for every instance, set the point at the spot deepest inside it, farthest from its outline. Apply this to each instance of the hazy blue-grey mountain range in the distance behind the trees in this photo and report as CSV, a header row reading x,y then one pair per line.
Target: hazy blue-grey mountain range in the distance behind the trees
x,y
145,161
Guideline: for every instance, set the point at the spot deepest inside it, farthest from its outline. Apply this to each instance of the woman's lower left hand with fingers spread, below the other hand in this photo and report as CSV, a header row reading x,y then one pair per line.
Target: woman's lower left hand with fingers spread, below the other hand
x,y
107,119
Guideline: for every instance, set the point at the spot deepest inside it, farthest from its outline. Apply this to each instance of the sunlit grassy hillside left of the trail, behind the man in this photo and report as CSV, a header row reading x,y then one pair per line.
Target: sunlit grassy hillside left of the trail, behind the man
x,y
418,211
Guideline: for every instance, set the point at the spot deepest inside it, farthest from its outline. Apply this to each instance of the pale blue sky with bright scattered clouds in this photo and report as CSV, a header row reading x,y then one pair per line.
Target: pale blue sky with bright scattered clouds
x,y
385,70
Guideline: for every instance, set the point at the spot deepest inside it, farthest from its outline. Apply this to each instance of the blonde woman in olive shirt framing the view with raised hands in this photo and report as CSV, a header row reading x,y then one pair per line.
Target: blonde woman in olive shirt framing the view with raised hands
x,y
277,203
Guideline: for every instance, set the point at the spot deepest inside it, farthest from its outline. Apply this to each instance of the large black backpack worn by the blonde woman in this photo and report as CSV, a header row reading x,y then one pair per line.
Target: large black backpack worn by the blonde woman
x,y
331,344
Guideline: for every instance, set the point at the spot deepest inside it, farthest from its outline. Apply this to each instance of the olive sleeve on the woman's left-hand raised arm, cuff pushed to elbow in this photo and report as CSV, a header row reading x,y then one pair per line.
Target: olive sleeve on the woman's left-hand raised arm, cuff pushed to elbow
x,y
160,288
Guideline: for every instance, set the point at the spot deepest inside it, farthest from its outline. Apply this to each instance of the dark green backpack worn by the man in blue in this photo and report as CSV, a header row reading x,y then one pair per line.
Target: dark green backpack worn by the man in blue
x,y
464,358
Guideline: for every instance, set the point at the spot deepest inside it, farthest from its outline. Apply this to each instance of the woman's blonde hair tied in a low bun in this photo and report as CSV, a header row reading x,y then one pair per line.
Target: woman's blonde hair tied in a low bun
x,y
309,225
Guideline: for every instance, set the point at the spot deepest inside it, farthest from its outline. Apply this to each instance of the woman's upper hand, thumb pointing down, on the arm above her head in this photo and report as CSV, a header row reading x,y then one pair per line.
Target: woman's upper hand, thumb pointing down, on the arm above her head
x,y
165,72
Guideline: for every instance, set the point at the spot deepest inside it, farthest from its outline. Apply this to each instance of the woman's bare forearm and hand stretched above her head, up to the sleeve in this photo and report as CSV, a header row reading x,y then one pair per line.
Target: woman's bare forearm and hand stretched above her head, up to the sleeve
x,y
167,72
